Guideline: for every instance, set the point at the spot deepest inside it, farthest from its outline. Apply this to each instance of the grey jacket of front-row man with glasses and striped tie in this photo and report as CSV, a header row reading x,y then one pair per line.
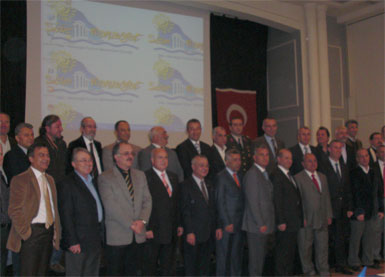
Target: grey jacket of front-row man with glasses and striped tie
x,y
120,210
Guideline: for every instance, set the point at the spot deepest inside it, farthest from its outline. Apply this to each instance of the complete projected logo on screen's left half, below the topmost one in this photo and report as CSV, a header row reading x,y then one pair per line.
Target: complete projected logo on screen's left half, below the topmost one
x,y
68,75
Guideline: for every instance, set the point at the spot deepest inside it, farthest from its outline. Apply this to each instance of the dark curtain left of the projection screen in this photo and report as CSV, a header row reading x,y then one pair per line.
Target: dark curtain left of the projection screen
x,y
13,59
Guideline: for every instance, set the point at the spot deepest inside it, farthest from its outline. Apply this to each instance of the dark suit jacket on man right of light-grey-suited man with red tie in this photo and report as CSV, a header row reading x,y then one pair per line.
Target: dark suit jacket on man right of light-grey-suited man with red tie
x,y
340,194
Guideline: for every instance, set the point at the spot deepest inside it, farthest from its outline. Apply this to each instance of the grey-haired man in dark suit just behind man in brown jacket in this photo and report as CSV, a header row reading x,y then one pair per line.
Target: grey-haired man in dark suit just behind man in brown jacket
x,y
16,161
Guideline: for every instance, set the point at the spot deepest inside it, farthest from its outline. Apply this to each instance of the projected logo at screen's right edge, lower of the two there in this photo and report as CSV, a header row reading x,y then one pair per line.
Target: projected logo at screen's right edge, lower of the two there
x,y
172,82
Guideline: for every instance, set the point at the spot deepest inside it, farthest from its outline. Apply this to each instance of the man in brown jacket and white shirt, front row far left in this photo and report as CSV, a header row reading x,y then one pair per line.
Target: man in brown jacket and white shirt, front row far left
x,y
34,214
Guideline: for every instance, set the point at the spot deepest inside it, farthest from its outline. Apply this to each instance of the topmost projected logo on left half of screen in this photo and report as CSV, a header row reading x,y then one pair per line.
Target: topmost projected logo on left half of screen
x,y
65,23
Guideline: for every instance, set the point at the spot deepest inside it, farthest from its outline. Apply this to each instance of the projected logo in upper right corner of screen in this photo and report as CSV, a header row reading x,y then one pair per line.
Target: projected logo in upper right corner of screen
x,y
172,39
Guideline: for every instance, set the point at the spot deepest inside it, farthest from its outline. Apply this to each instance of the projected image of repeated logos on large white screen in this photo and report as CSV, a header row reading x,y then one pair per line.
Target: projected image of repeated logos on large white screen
x,y
113,62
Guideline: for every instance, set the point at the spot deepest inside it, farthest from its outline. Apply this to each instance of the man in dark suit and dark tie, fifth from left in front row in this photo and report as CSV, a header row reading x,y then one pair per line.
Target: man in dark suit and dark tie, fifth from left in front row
x,y
198,217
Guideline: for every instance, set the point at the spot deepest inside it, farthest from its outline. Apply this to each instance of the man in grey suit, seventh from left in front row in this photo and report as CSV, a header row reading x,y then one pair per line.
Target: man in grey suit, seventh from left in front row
x,y
258,218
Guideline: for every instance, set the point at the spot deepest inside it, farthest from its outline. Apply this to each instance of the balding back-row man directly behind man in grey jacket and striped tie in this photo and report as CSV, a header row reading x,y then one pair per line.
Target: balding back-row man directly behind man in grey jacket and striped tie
x,y
122,133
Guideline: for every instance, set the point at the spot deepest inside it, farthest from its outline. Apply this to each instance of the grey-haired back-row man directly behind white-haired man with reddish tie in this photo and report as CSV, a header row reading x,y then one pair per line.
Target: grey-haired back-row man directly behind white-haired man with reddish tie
x,y
159,139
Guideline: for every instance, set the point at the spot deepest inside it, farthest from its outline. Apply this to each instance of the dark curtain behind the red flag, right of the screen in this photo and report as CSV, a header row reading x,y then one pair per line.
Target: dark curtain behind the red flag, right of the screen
x,y
238,60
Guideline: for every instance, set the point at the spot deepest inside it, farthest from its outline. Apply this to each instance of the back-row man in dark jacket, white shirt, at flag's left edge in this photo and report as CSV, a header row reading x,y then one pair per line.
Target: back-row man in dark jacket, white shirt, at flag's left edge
x,y
218,150
